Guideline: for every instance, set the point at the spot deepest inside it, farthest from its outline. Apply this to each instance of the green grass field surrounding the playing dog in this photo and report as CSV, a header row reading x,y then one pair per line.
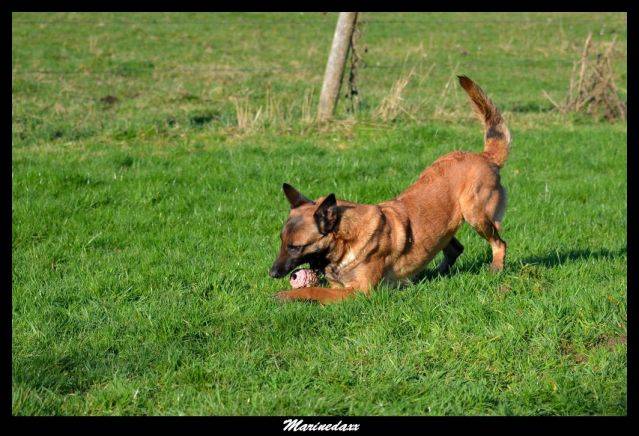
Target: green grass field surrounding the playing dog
x,y
148,156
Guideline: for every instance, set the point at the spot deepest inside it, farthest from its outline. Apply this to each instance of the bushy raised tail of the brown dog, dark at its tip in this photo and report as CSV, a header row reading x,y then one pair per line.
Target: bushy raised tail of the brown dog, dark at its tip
x,y
496,135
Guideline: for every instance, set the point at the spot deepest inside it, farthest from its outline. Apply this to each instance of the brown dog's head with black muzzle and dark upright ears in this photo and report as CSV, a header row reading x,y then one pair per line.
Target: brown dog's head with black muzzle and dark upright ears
x,y
306,235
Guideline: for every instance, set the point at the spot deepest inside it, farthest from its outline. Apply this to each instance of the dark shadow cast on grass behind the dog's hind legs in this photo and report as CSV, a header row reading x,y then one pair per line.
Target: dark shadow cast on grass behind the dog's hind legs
x,y
550,260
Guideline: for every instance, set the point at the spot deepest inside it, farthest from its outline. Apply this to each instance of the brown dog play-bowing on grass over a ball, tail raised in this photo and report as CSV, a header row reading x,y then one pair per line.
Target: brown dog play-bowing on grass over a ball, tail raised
x,y
358,245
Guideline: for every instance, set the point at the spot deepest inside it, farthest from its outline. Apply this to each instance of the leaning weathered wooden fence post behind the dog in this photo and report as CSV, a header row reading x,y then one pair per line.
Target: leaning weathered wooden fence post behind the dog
x,y
335,64
